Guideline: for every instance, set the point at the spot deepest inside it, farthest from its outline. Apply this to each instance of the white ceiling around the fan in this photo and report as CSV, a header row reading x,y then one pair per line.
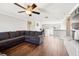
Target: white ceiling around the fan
x,y
54,11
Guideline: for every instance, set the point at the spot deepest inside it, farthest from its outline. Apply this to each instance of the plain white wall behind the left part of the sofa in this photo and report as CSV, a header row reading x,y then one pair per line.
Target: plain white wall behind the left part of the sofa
x,y
8,23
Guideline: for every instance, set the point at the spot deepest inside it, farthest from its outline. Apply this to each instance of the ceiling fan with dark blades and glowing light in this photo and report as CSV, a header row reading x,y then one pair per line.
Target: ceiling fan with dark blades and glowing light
x,y
29,10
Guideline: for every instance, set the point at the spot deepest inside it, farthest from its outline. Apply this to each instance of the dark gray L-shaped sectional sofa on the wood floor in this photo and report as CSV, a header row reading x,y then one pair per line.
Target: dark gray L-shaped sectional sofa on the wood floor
x,y
10,39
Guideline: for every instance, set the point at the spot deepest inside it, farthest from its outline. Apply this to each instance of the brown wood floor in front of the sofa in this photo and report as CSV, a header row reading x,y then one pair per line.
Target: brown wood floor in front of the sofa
x,y
50,47
